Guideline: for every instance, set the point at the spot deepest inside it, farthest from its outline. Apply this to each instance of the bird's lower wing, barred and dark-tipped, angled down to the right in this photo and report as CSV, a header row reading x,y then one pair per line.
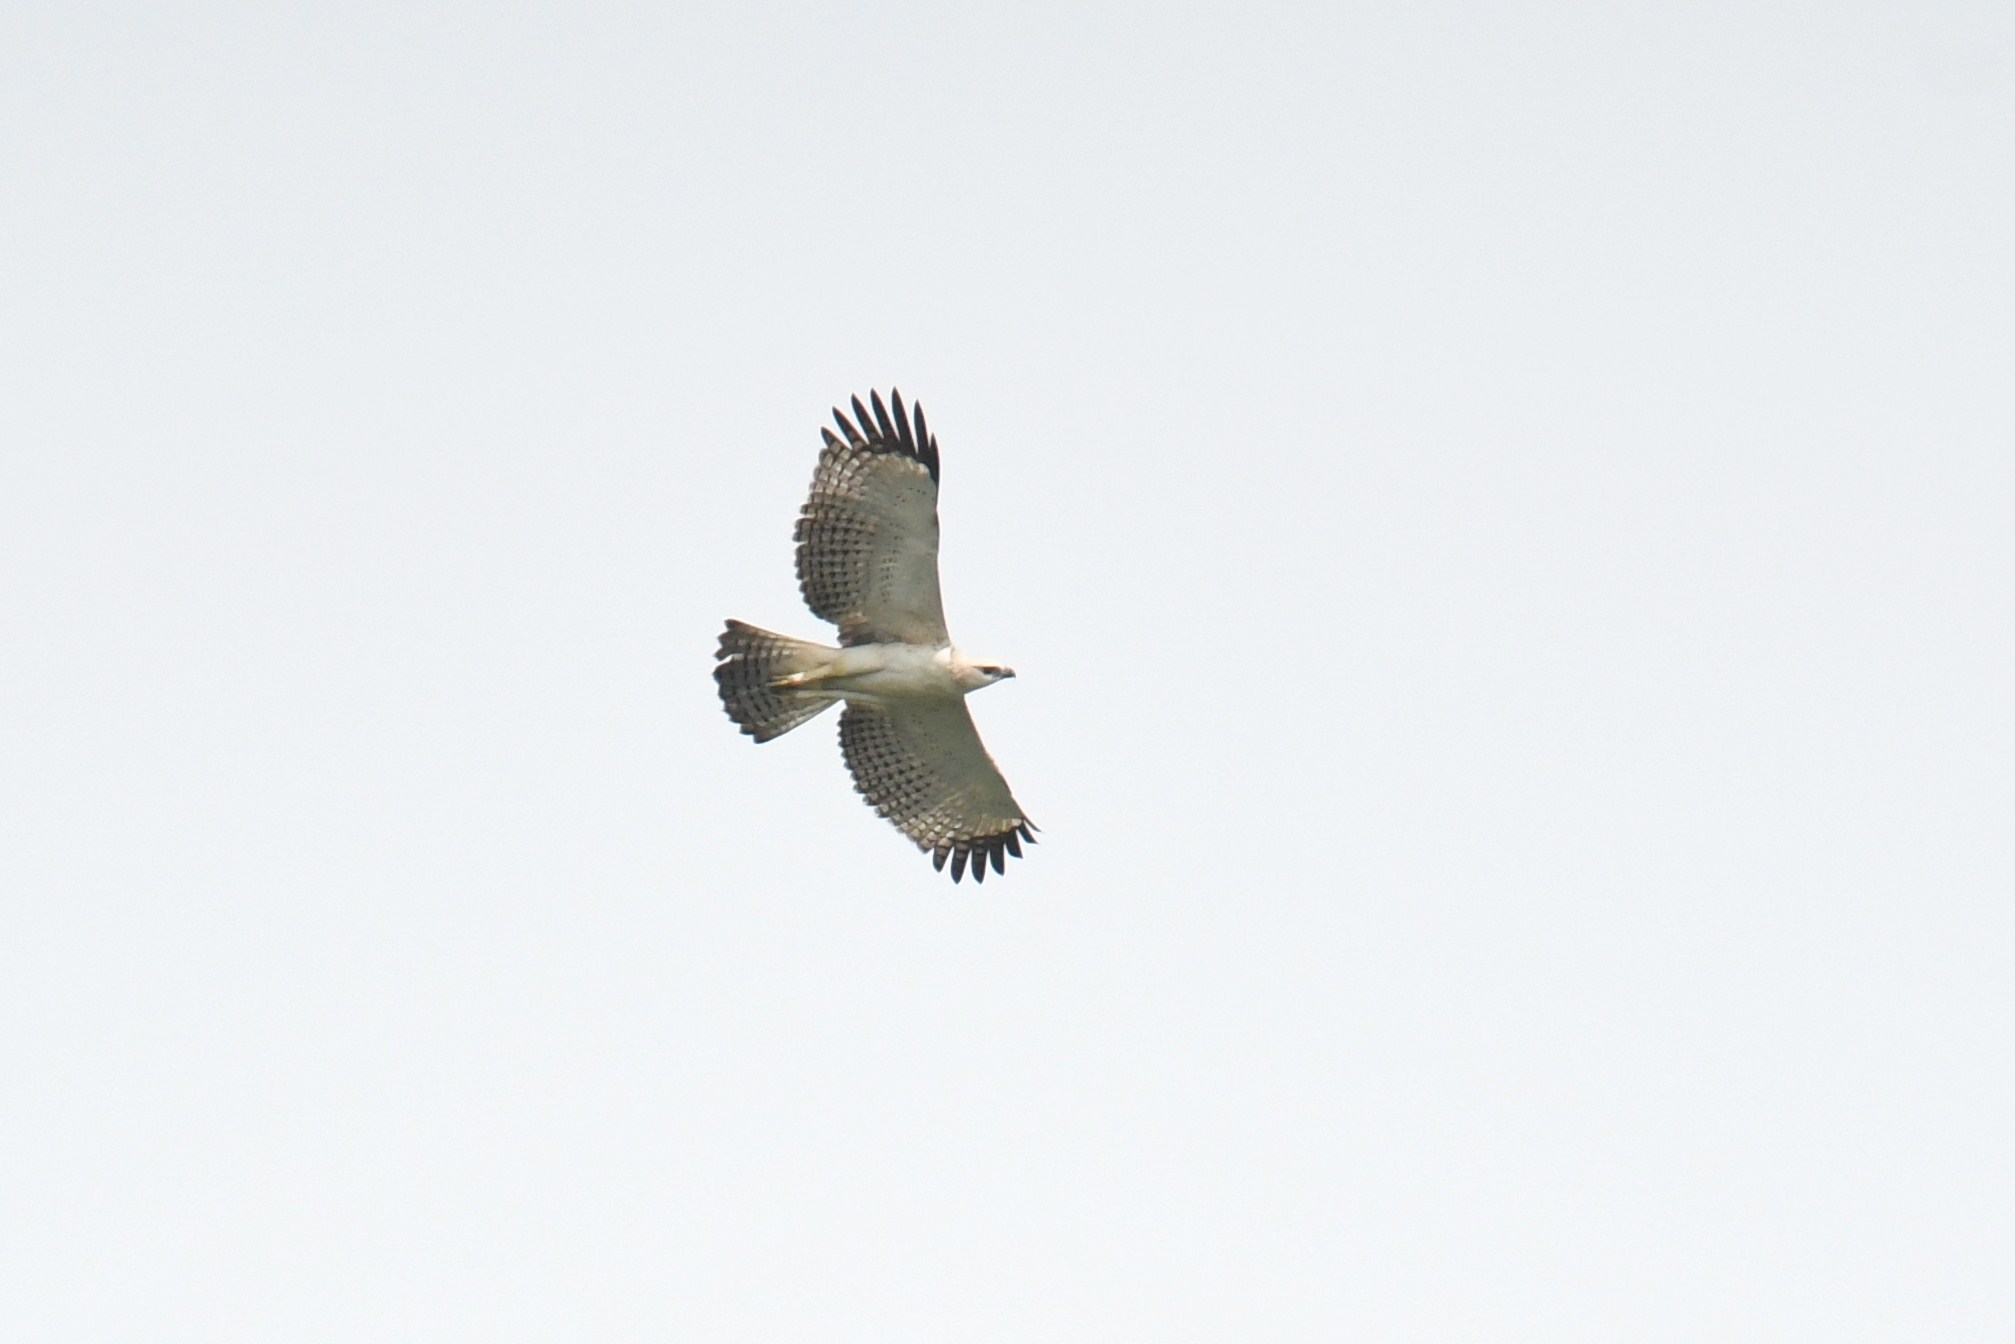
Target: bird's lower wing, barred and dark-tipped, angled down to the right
x,y
922,767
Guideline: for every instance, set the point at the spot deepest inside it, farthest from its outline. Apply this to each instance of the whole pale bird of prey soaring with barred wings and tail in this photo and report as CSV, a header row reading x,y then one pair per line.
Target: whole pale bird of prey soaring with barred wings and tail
x,y
867,563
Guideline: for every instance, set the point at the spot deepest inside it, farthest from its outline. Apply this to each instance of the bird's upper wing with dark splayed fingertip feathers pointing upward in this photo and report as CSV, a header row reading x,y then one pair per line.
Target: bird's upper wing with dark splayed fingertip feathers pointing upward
x,y
867,537
